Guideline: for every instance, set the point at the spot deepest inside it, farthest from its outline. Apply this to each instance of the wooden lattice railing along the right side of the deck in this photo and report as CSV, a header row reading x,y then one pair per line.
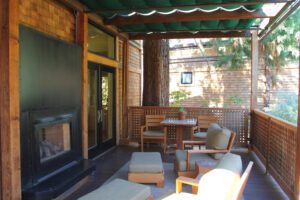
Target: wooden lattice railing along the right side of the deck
x,y
274,141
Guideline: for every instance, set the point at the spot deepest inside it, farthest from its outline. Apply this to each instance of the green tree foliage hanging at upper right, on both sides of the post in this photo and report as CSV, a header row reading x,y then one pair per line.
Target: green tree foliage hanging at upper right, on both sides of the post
x,y
279,47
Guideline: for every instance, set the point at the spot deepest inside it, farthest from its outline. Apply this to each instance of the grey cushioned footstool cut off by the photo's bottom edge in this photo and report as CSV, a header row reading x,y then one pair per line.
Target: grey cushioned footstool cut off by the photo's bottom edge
x,y
120,189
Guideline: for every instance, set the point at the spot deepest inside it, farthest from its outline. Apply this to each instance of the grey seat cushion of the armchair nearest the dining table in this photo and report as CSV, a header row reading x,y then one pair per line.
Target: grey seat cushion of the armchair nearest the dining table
x,y
204,159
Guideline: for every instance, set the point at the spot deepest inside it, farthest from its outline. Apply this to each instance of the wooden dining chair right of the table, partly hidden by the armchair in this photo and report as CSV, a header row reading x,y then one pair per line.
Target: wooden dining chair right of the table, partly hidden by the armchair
x,y
200,131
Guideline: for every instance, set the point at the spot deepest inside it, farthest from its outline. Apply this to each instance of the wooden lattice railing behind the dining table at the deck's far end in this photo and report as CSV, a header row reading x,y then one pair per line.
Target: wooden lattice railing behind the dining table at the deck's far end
x,y
236,120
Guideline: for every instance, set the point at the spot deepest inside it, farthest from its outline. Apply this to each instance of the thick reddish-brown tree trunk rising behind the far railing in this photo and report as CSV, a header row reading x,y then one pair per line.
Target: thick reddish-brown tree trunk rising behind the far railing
x,y
156,73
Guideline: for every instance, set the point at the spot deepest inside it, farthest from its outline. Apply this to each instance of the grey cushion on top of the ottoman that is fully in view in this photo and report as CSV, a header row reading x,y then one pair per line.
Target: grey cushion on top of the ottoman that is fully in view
x,y
145,162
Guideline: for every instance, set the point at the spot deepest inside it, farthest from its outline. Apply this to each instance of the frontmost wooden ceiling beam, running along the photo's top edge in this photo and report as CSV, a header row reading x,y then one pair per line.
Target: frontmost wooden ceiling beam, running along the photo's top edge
x,y
199,5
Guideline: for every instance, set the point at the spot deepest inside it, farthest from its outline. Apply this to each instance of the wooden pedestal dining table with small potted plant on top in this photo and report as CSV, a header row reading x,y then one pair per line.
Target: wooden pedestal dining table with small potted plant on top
x,y
179,124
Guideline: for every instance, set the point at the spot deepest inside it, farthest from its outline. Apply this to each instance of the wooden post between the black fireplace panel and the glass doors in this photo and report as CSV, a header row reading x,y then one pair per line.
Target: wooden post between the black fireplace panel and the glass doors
x,y
82,39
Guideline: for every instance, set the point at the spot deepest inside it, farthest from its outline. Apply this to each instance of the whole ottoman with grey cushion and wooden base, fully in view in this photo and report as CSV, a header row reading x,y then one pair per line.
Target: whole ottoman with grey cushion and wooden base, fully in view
x,y
146,167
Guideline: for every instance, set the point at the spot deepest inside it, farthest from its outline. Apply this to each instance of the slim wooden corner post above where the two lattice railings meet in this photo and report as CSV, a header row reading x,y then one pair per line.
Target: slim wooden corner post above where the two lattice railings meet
x,y
254,69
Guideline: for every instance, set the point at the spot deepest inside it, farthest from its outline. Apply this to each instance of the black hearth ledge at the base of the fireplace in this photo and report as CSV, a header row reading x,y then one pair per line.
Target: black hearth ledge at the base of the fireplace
x,y
56,185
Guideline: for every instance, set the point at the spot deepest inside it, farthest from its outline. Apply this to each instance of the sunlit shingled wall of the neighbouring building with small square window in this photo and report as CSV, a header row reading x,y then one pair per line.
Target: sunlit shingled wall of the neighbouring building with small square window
x,y
220,87
